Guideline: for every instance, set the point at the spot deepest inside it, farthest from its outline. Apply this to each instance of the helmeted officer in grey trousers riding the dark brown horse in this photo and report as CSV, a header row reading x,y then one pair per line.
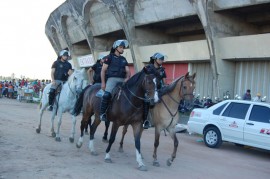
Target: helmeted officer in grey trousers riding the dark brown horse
x,y
115,68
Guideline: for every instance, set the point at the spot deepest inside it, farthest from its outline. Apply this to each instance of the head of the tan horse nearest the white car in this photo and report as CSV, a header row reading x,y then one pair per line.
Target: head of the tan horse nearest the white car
x,y
186,90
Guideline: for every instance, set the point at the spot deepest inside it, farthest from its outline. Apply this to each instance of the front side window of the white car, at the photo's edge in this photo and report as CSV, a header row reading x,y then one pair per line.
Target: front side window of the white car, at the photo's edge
x,y
260,114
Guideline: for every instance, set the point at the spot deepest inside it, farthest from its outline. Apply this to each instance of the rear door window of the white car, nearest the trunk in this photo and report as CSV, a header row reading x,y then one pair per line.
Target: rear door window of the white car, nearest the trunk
x,y
236,110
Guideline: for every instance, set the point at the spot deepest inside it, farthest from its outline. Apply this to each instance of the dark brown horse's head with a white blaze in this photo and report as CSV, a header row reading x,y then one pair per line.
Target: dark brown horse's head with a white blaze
x,y
150,84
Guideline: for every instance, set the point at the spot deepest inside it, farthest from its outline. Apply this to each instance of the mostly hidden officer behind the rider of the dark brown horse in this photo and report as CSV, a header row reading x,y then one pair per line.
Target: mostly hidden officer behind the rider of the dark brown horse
x,y
97,70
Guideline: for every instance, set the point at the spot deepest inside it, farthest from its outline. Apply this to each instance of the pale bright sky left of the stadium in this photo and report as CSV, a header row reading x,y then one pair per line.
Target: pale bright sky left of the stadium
x,y
24,47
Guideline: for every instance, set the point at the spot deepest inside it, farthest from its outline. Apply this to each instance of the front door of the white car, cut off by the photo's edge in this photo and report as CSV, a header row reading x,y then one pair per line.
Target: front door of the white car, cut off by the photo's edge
x,y
257,127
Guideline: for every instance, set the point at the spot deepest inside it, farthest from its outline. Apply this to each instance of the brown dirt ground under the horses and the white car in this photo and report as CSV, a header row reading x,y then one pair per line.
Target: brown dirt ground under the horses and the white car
x,y
26,154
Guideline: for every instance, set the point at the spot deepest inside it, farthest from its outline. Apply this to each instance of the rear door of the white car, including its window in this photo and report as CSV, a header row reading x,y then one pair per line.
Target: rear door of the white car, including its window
x,y
232,121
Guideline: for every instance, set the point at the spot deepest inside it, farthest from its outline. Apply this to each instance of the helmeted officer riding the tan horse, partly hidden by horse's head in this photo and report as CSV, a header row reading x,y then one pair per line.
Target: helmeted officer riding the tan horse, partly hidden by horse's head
x,y
156,60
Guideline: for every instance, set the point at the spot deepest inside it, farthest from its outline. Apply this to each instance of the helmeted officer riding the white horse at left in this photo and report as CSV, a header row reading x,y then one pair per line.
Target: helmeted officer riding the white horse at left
x,y
60,71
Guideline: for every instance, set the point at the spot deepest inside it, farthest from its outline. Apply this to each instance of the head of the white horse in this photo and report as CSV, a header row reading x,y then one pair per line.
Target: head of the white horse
x,y
76,81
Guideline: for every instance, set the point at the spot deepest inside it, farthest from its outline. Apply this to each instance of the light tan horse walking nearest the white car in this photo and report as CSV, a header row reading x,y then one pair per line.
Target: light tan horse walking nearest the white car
x,y
165,114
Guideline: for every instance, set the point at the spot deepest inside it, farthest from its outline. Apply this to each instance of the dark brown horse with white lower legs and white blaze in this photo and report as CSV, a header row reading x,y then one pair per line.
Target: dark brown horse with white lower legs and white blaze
x,y
126,108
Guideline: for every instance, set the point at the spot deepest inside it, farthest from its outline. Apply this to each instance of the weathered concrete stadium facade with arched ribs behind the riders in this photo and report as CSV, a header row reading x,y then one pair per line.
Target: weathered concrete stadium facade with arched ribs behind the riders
x,y
226,42
